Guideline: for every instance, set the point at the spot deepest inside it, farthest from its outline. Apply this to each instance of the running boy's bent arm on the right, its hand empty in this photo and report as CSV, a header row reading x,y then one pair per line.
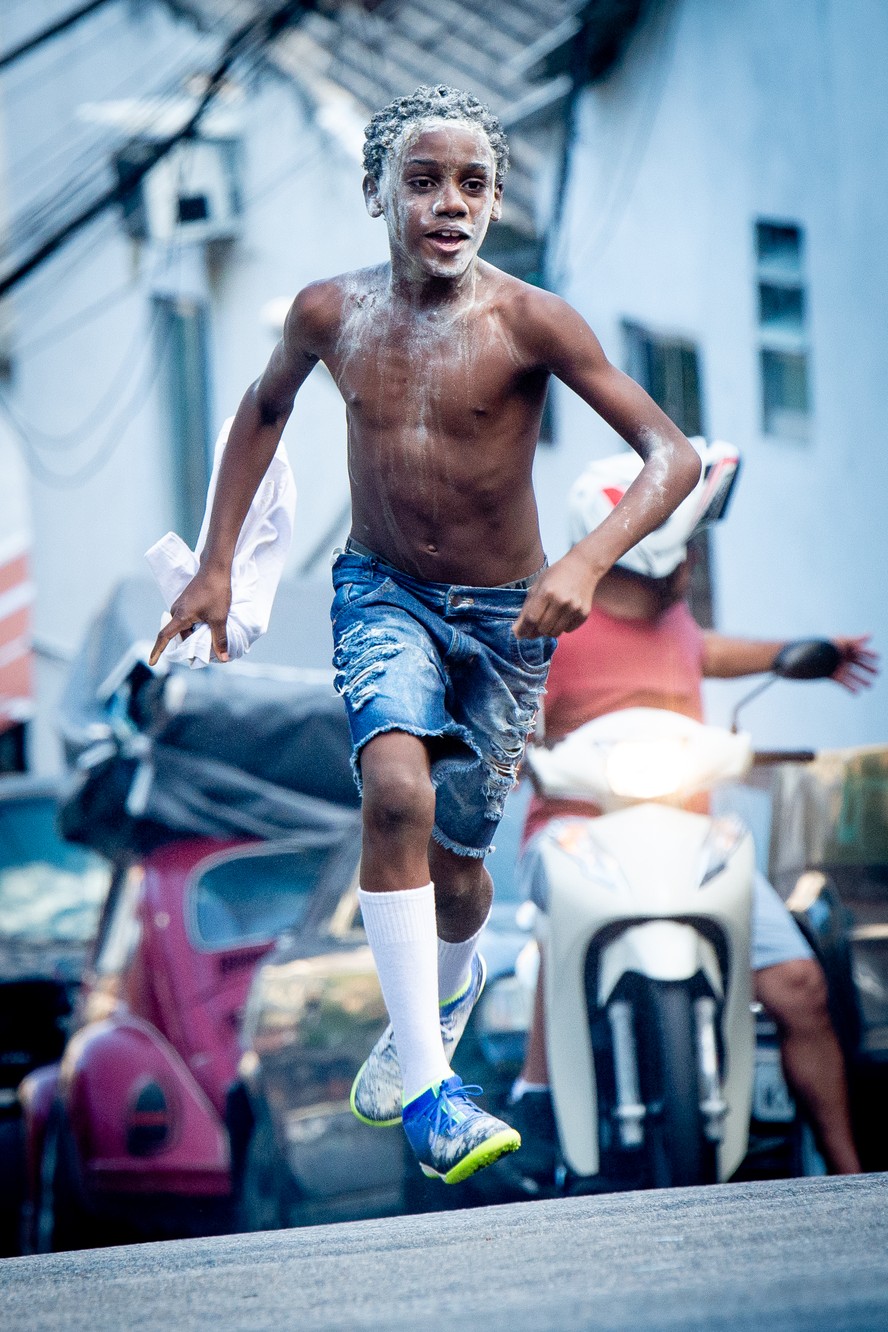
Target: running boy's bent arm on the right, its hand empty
x,y
565,344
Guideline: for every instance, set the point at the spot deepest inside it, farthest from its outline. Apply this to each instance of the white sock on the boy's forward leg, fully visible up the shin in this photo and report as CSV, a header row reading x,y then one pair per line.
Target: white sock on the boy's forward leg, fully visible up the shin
x,y
403,936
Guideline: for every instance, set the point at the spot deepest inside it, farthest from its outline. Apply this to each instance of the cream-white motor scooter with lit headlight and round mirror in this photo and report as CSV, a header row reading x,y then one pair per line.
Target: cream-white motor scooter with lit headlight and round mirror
x,y
644,920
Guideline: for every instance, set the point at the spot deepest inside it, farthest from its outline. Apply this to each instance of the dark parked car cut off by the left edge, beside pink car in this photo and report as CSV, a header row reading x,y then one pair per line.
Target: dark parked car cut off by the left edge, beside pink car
x,y
51,894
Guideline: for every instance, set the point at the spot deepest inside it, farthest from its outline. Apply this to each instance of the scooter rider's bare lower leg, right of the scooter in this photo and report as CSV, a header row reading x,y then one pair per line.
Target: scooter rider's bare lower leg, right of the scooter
x,y
795,997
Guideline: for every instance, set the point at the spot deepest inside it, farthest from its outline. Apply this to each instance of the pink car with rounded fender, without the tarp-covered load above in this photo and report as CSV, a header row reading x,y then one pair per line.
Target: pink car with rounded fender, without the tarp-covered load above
x,y
126,1138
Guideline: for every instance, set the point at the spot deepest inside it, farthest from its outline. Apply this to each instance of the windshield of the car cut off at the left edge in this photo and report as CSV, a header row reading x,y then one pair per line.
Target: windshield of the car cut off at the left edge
x,y
51,892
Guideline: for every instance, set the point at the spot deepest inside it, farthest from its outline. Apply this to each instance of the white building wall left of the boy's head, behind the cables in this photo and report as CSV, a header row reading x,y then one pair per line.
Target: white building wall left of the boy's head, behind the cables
x,y
86,391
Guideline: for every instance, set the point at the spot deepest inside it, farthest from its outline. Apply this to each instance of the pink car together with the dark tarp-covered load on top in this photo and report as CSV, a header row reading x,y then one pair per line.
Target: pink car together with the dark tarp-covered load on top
x,y
226,800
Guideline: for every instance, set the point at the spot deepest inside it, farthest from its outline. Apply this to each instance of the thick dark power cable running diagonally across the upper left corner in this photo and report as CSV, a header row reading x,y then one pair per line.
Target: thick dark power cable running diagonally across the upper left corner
x,y
256,31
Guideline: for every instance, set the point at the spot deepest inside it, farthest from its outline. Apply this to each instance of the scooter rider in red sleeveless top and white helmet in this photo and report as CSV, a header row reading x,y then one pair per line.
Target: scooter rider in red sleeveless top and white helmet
x,y
642,648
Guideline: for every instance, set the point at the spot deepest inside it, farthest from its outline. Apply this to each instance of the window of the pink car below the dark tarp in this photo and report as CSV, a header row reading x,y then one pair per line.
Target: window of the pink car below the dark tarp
x,y
250,897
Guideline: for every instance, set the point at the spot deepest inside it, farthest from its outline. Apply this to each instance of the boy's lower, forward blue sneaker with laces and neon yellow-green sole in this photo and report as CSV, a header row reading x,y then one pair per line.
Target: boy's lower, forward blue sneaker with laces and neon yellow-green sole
x,y
452,1137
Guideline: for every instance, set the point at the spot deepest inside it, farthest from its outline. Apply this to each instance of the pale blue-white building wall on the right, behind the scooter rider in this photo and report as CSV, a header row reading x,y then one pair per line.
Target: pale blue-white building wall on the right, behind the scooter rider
x,y
722,115
